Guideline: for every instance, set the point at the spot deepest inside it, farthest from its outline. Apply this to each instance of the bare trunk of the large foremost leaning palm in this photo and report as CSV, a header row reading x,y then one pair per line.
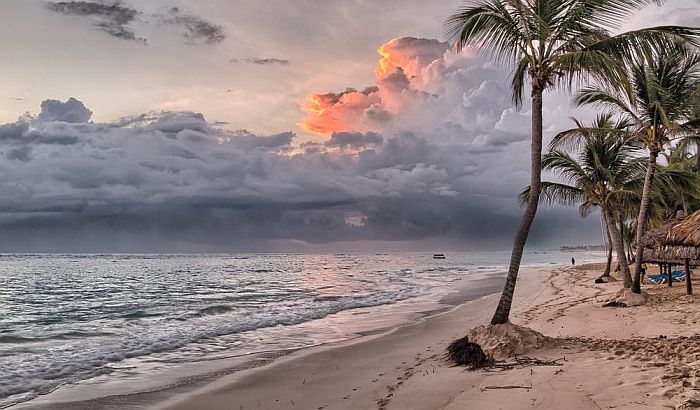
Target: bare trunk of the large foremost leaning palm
x,y
503,310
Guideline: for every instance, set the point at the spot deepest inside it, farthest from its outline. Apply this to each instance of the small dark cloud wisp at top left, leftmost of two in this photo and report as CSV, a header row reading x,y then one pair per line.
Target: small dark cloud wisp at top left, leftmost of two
x,y
113,19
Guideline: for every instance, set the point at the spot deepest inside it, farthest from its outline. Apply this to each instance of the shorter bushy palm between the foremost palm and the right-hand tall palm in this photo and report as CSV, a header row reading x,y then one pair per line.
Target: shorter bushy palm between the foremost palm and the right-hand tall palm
x,y
604,171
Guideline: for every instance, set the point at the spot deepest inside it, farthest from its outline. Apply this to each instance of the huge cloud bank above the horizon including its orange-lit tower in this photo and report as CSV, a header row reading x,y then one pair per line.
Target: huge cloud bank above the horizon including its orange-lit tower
x,y
433,151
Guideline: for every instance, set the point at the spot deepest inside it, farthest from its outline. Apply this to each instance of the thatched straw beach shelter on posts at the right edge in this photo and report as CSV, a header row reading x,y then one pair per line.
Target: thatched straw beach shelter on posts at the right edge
x,y
679,246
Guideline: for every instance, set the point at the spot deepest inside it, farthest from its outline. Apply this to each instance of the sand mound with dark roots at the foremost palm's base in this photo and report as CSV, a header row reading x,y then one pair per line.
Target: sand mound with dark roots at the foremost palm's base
x,y
507,340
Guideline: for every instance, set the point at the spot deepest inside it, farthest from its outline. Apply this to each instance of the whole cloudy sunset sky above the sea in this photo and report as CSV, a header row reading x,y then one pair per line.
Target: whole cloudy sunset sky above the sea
x,y
297,125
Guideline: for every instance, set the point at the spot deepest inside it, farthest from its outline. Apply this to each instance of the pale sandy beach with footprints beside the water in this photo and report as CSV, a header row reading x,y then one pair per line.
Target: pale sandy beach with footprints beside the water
x,y
638,357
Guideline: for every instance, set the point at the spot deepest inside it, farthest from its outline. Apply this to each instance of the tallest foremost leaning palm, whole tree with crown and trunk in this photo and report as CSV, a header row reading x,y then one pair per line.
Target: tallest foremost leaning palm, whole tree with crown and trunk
x,y
552,43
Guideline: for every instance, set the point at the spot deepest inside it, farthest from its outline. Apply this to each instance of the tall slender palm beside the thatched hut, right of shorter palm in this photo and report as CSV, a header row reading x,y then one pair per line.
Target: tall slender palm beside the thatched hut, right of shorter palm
x,y
662,86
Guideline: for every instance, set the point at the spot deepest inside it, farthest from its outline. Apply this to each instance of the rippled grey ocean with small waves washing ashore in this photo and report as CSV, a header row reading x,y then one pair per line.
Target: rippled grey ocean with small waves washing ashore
x,y
85,325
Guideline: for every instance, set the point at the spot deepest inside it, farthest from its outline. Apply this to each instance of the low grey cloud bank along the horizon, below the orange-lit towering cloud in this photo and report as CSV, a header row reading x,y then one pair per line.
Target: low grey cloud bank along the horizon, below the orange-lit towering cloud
x,y
174,181
